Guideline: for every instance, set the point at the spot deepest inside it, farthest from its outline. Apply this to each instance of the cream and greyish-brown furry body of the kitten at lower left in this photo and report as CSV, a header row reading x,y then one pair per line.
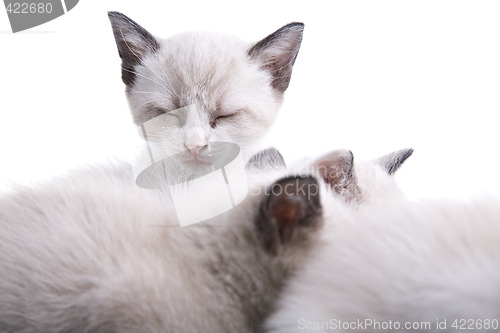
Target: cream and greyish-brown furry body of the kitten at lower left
x,y
99,254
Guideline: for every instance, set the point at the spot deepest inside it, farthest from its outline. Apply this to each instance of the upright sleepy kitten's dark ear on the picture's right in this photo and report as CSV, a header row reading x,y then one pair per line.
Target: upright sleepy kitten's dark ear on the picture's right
x,y
277,53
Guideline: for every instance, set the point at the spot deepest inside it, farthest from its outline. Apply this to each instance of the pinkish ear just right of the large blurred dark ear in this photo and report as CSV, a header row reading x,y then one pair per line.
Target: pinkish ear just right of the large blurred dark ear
x,y
337,169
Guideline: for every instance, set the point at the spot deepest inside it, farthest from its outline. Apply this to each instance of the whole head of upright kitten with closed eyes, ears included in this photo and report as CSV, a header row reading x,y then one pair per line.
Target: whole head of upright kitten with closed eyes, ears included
x,y
236,87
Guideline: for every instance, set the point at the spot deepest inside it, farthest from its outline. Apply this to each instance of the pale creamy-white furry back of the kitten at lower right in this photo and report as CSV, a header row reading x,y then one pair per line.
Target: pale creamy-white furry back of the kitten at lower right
x,y
433,265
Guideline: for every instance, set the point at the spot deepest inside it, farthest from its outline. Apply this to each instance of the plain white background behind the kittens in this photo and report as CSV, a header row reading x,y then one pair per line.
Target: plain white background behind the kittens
x,y
371,76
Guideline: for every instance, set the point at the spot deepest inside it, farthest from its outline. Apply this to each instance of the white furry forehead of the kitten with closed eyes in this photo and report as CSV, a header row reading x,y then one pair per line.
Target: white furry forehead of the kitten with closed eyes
x,y
198,65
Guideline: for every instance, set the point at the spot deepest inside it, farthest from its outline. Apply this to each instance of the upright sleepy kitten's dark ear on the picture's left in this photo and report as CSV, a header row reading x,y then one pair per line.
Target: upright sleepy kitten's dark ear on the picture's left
x,y
133,42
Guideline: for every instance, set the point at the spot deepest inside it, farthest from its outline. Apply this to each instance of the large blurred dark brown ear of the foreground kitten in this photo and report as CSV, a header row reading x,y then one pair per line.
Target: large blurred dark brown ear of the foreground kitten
x,y
289,213
